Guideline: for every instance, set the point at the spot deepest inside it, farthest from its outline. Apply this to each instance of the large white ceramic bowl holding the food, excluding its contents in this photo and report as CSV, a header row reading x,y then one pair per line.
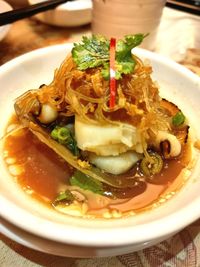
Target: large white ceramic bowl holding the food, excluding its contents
x,y
34,224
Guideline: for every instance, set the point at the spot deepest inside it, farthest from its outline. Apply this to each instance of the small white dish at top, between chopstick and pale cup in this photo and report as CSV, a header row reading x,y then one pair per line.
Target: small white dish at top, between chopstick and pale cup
x,y
70,14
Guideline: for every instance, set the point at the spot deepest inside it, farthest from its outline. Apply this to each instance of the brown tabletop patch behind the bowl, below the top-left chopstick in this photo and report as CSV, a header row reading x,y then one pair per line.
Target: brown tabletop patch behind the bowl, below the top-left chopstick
x,y
30,34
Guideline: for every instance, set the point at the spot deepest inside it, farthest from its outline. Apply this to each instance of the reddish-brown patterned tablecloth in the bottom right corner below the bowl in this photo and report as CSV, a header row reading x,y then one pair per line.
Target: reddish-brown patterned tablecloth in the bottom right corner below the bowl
x,y
181,250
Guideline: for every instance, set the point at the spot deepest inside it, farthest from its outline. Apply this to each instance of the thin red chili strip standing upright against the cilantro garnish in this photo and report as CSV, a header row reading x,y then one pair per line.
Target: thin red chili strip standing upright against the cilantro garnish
x,y
112,72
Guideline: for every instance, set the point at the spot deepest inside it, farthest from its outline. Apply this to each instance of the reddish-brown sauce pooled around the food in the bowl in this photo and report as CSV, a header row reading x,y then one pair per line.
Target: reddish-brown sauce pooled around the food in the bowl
x,y
44,172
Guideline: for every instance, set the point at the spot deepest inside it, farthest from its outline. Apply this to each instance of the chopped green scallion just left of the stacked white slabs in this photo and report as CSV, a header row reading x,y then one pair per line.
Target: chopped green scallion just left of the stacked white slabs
x,y
65,137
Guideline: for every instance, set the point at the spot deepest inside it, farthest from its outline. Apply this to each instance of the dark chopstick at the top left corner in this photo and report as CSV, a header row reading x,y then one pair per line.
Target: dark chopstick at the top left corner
x,y
21,13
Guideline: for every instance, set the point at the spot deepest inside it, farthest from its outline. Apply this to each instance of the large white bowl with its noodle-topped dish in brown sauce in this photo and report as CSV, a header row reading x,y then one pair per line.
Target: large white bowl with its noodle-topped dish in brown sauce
x,y
101,188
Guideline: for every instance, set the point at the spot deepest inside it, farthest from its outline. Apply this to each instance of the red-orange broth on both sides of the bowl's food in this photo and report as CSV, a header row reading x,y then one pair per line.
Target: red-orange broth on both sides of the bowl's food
x,y
45,173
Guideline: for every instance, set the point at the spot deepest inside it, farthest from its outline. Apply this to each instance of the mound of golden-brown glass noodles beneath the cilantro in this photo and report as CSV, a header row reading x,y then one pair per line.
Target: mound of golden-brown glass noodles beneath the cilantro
x,y
86,94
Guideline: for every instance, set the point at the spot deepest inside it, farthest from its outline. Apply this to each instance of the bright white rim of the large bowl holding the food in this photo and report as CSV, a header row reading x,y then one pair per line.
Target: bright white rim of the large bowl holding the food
x,y
103,237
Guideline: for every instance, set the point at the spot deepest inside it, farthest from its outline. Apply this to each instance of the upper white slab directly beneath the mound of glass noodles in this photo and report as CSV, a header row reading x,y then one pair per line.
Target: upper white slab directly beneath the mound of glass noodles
x,y
106,140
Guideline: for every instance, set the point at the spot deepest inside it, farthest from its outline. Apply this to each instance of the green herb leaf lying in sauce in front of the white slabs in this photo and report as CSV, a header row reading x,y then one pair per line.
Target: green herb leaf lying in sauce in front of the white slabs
x,y
86,182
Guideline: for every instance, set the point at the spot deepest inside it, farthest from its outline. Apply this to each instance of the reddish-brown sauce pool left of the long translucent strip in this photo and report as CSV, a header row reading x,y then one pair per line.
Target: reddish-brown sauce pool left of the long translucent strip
x,y
43,171
